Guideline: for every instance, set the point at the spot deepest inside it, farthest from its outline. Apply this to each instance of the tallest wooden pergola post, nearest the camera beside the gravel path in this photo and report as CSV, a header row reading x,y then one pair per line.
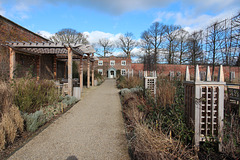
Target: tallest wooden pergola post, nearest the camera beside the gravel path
x,y
69,71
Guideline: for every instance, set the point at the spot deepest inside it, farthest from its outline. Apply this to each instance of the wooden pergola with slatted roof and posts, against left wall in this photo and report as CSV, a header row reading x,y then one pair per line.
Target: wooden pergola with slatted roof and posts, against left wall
x,y
61,51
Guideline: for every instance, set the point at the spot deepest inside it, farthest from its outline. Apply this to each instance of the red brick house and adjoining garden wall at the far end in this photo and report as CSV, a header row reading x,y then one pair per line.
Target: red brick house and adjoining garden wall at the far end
x,y
108,66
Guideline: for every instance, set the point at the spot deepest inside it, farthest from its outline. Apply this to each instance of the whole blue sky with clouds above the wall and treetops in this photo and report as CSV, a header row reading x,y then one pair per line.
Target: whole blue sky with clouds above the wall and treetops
x,y
110,18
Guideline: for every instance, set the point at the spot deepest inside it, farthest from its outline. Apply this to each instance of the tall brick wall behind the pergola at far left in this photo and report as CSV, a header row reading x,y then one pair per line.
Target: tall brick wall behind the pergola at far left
x,y
11,31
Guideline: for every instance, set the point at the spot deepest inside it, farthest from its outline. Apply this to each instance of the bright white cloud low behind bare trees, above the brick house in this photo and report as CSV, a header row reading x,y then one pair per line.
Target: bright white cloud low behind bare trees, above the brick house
x,y
94,36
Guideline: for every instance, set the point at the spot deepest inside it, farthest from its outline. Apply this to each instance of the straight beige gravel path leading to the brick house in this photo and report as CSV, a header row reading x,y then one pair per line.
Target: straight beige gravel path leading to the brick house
x,y
92,129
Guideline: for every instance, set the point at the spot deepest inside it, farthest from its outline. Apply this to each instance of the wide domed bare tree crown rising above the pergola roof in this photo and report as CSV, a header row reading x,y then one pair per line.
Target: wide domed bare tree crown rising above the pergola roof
x,y
68,35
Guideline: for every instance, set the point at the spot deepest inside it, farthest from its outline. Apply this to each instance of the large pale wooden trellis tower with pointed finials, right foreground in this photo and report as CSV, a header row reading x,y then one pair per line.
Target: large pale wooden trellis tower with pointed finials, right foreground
x,y
204,102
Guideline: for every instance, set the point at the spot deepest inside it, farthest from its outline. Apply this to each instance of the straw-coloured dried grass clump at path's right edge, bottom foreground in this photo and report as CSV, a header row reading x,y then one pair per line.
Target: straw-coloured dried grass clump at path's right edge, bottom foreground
x,y
150,144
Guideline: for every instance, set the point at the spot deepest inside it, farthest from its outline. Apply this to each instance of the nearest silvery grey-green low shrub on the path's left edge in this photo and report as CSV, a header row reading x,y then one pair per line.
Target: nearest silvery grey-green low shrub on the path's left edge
x,y
34,120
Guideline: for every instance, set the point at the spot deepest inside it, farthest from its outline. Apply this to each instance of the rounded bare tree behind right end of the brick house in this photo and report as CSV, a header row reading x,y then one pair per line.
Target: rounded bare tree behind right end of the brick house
x,y
127,43
